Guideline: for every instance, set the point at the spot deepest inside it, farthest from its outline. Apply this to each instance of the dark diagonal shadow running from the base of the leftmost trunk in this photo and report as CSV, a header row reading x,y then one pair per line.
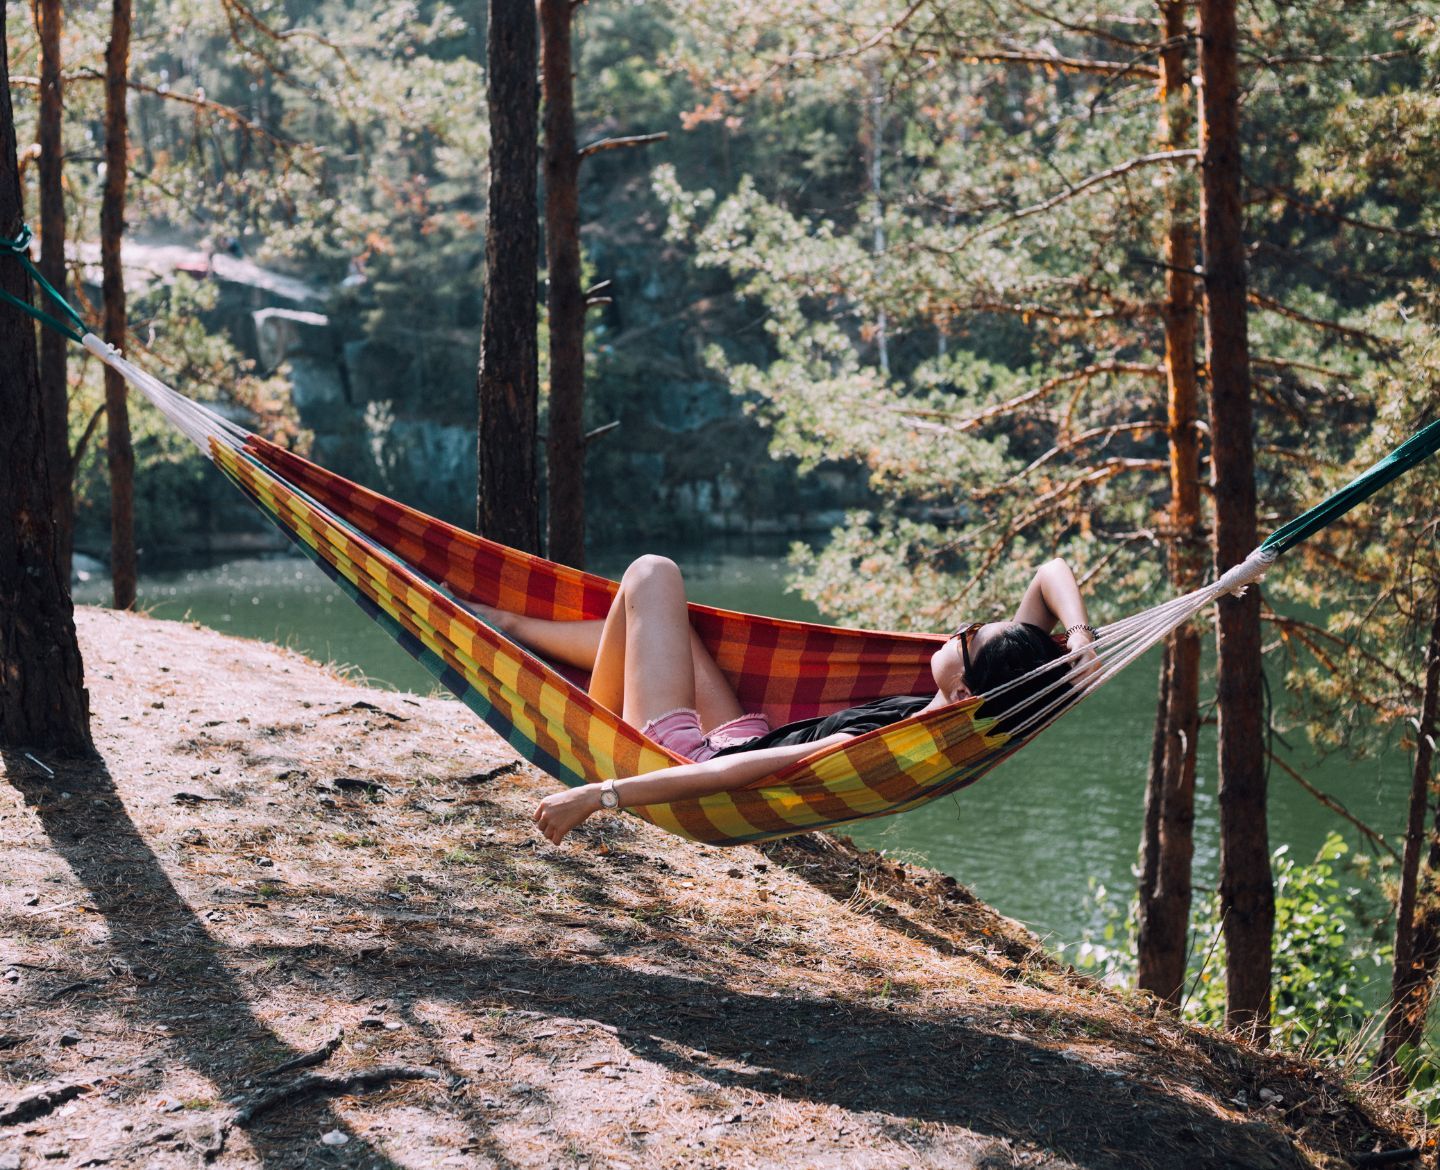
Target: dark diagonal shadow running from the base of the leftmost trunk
x,y
178,973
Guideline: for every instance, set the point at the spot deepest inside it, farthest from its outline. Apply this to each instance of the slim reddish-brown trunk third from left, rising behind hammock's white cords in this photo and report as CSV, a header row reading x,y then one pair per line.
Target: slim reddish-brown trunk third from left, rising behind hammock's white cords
x,y
112,231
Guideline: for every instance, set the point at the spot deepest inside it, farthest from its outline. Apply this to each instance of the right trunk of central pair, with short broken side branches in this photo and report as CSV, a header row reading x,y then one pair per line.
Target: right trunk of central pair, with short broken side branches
x,y
565,466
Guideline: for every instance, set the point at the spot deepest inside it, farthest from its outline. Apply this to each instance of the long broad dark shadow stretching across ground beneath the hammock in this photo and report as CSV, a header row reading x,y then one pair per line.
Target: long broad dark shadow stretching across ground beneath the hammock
x,y
955,1071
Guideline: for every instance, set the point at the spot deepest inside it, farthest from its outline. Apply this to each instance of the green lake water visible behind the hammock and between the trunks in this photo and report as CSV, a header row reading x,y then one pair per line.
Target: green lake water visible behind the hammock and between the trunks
x,y
1027,839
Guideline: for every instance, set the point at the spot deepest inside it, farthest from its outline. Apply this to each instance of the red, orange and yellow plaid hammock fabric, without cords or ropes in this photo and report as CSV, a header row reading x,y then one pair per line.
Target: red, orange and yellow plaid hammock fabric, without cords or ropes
x,y
413,576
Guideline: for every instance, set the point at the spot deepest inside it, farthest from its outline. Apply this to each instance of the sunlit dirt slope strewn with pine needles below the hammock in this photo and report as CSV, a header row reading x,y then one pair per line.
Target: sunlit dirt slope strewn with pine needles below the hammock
x,y
290,921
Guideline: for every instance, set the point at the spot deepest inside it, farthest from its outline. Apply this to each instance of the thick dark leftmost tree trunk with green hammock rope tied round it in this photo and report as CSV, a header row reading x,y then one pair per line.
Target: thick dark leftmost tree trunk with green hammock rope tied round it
x,y
44,704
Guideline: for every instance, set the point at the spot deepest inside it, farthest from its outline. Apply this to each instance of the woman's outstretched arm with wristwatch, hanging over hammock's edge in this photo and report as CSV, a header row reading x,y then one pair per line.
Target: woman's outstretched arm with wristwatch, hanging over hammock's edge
x,y
561,812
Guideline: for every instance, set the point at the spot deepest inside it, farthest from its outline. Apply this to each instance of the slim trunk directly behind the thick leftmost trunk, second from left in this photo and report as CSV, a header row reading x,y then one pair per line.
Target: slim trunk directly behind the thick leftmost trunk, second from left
x,y
54,347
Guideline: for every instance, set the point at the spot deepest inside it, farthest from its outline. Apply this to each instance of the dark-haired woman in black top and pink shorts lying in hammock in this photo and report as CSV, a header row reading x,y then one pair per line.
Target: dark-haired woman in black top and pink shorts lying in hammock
x,y
649,665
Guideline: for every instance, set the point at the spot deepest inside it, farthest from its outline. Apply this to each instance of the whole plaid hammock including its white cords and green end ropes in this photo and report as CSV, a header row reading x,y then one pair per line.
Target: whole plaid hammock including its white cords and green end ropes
x,y
418,579
